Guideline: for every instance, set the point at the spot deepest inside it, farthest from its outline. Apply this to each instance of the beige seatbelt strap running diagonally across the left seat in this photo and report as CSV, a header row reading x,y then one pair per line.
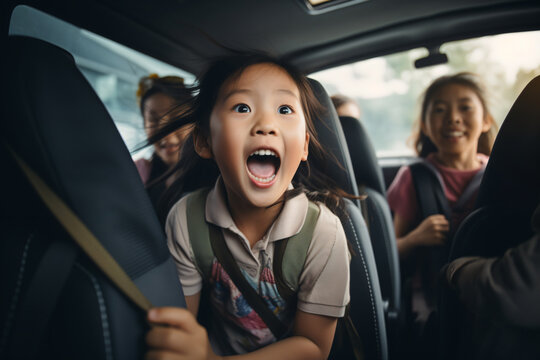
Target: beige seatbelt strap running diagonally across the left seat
x,y
83,236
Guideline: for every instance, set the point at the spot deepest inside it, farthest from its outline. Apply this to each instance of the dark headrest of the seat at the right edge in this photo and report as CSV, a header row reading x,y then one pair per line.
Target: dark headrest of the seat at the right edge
x,y
512,177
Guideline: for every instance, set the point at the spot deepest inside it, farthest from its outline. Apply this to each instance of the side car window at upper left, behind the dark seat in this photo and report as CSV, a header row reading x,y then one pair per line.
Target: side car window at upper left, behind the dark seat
x,y
113,70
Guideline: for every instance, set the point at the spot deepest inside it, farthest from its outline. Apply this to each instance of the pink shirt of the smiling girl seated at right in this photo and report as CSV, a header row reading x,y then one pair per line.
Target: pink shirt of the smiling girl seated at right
x,y
402,195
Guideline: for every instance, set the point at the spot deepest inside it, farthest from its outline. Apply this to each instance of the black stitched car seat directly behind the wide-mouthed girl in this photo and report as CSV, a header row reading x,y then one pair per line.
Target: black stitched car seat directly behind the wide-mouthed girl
x,y
367,309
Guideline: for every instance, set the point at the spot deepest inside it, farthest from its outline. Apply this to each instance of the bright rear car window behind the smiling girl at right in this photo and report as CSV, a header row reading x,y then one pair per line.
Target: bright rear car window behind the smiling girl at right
x,y
387,88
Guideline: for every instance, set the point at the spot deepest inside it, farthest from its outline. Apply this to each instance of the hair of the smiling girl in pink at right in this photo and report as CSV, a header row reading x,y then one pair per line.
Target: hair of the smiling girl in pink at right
x,y
422,144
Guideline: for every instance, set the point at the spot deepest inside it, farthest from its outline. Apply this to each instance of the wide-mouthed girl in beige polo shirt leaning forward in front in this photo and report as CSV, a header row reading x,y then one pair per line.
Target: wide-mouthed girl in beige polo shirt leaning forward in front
x,y
253,118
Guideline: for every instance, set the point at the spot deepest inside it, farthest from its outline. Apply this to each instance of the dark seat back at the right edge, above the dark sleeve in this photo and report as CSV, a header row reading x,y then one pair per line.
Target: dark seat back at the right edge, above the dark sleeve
x,y
510,189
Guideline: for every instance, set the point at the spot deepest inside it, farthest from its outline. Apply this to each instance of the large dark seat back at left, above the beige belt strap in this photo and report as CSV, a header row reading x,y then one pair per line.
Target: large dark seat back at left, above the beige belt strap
x,y
57,124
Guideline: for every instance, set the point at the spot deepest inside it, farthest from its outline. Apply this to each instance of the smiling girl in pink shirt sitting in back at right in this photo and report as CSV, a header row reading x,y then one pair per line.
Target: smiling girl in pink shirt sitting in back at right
x,y
455,135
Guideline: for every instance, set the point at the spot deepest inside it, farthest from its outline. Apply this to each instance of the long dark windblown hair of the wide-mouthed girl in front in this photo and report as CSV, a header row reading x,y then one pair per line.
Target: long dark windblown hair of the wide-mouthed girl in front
x,y
194,172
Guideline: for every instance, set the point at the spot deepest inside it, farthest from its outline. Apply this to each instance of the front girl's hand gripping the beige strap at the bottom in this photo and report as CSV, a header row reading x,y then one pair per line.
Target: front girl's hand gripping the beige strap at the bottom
x,y
176,334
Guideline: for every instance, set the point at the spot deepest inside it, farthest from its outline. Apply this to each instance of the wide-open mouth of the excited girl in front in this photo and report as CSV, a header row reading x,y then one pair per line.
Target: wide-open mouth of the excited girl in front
x,y
262,166
